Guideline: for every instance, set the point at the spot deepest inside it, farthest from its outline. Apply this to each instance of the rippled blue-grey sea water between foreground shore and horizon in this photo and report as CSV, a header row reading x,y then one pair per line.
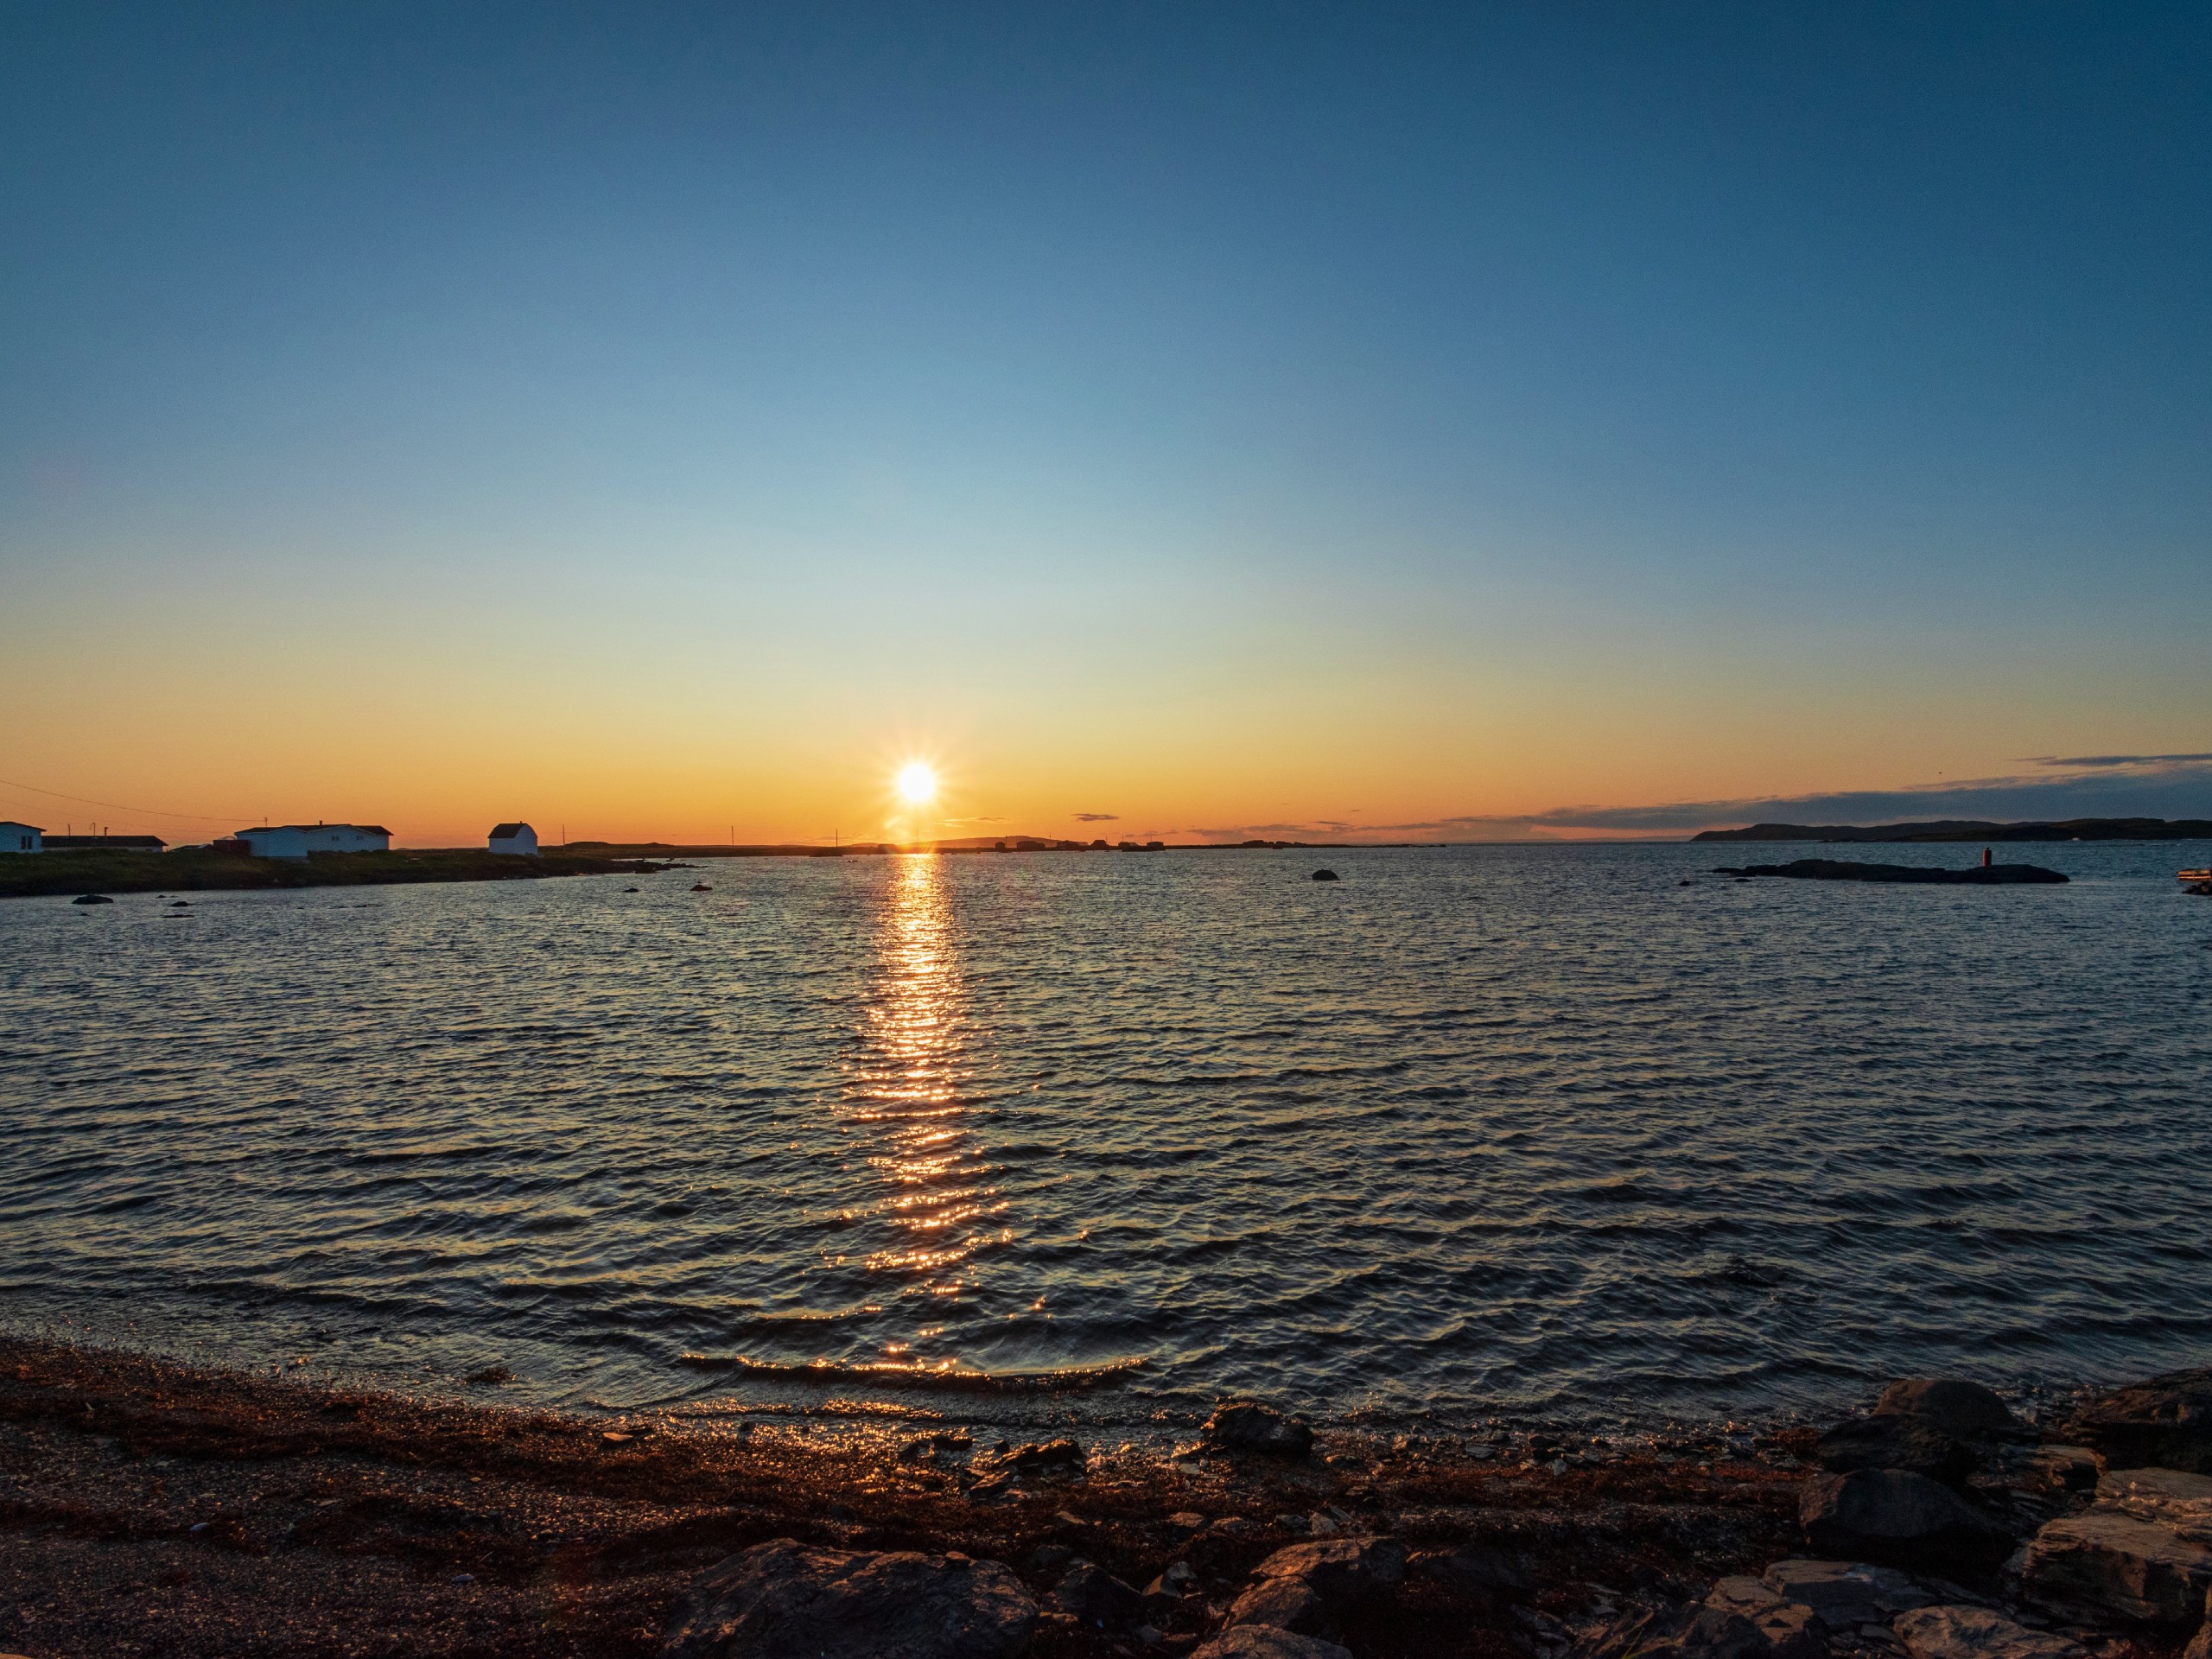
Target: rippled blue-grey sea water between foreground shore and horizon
x,y
1541,1131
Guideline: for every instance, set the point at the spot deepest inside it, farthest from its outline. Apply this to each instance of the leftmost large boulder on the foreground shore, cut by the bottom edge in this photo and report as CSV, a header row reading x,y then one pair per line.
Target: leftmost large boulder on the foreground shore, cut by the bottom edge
x,y
784,1600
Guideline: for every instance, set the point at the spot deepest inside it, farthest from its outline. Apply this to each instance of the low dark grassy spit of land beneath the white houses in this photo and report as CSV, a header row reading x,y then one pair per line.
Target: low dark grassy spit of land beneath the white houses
x,y
198,870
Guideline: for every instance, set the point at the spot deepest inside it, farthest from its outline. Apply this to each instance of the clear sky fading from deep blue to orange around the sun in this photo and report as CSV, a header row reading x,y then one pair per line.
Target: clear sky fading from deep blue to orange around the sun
x,y
1162,419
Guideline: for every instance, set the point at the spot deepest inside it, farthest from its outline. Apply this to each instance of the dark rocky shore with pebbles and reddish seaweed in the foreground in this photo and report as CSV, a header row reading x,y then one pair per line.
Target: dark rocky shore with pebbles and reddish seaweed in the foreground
x,y
163,1510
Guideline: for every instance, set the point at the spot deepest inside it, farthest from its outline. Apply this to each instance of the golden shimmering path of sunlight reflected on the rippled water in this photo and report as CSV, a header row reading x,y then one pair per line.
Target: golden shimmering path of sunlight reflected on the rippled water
x,y
906,1096
